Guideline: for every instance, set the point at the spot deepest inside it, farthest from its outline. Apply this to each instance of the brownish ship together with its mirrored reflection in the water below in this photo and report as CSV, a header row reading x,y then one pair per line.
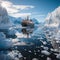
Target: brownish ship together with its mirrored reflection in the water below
x,y
28,25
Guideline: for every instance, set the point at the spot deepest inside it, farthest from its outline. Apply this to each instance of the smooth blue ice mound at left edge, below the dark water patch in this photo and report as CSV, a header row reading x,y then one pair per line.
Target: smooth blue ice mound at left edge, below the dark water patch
x,y
5,43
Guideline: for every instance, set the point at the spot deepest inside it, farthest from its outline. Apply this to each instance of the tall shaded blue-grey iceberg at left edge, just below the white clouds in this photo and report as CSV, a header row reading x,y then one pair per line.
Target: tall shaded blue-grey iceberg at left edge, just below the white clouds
x,y
4,19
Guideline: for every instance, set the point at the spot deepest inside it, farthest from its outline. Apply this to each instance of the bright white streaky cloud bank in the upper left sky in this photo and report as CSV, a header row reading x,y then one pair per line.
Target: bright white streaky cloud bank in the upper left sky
x,y
14,10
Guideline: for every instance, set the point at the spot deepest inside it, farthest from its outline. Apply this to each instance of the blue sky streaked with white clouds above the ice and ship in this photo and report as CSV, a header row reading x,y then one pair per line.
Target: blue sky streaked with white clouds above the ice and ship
x,y
33,8
